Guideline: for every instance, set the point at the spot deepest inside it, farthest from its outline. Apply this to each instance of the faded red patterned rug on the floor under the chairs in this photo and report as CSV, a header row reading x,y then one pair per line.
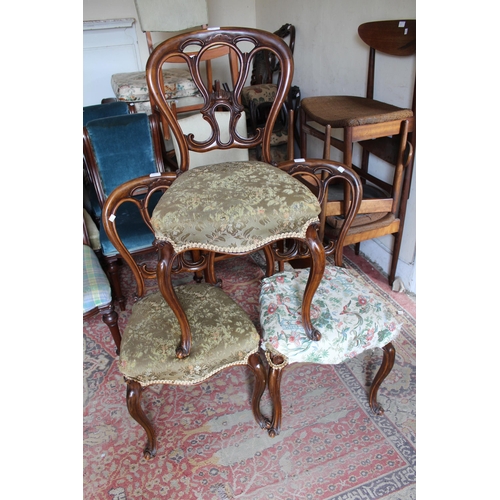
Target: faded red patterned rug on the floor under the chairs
x,y
210,448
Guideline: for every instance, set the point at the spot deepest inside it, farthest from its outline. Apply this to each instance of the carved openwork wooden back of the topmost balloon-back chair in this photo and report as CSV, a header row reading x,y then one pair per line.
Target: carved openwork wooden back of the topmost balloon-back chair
x,y
219,99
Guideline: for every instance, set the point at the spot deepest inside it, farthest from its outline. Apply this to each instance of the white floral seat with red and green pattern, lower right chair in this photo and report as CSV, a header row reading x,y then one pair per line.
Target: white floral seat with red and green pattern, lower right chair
x,y
350,317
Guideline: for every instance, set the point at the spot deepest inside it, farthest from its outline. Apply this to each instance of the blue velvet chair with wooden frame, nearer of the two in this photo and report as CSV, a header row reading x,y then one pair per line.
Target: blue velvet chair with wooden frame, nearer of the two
x,y
117,149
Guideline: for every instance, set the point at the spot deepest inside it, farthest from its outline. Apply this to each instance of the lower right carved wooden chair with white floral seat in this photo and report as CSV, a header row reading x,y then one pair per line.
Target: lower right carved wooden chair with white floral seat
x,y
349,316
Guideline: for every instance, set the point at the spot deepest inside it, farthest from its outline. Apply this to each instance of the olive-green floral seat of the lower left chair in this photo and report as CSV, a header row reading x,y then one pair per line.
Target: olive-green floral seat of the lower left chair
x,y
223,336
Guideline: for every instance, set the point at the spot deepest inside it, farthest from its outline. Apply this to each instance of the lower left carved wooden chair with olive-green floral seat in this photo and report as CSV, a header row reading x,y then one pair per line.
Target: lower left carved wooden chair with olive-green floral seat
x,y
224,336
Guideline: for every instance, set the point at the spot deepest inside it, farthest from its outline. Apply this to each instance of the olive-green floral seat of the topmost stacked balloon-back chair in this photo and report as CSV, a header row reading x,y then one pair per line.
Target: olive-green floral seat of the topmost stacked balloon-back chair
x,y
233,207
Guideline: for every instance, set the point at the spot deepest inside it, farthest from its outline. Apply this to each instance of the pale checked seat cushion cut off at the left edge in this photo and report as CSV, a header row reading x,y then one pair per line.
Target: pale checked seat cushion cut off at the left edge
x,y
96,289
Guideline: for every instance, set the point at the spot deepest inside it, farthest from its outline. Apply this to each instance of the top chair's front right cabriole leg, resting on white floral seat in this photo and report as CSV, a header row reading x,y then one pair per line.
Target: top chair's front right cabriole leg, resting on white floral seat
x,y
317,269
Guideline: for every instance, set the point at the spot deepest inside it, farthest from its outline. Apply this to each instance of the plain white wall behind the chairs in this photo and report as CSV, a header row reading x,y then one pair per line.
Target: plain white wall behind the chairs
x,y
329,59
